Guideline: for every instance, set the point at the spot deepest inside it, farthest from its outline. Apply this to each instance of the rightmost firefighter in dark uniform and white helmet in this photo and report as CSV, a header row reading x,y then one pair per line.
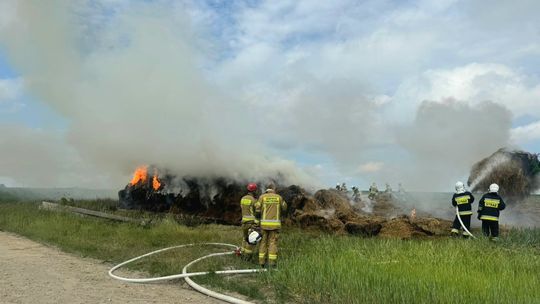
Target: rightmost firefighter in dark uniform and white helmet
x,y
488,212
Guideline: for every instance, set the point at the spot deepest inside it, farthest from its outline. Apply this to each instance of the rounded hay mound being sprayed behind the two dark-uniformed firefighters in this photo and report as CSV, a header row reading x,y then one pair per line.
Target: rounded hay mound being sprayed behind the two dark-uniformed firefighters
x,y
516,172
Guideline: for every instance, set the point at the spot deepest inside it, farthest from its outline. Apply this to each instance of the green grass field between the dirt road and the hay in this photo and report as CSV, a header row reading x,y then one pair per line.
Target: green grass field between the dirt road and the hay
x,y
314,267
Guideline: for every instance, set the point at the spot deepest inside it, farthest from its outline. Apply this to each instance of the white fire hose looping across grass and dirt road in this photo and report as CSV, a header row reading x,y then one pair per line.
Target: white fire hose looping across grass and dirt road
x,y
186,275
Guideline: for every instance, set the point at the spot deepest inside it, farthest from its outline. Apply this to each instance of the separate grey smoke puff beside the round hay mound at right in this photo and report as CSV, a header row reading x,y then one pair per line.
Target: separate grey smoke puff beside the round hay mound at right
x,y
448,137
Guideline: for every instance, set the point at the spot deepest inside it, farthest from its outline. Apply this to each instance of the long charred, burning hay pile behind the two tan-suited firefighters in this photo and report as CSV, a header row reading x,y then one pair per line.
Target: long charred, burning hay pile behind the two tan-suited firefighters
x,y
217,200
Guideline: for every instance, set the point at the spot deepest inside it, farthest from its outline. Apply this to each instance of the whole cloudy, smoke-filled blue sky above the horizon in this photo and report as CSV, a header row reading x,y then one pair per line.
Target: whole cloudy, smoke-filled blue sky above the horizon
x,y
410,92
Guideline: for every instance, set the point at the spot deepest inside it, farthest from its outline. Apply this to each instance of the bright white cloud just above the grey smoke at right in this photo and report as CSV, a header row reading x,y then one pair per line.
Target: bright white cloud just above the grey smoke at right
x,y
472,83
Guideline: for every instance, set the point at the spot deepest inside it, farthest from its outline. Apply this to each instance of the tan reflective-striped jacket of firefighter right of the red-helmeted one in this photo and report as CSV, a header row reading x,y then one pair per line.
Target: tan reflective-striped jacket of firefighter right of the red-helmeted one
x,y
270,205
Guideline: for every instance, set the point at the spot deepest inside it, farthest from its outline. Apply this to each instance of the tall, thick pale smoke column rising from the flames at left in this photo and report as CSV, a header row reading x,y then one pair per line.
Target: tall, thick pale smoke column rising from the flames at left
x,y
132,89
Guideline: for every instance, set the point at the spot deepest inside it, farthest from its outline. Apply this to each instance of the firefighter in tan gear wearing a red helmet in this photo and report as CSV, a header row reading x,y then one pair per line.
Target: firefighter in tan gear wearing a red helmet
x,y
249,222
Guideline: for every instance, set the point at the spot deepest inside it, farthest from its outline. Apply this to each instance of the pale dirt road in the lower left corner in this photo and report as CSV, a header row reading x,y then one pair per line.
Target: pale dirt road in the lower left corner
x,y
34,273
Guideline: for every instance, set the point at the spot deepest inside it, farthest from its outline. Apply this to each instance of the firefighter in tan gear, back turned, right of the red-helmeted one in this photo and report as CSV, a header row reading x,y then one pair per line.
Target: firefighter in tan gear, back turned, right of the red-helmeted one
x,y
269,208
